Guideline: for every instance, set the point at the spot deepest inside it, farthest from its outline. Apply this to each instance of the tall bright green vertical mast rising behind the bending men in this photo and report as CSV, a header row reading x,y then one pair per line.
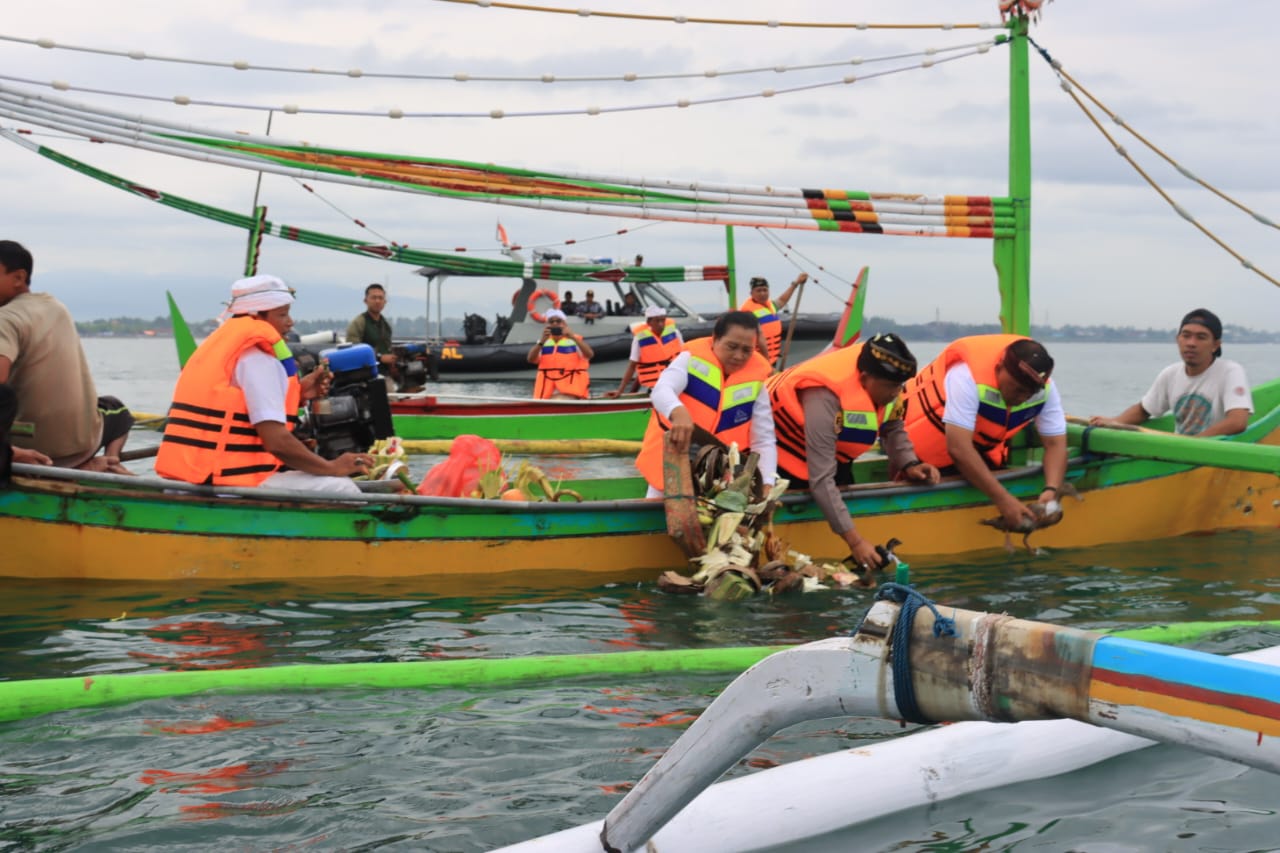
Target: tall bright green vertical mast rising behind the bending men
x,y
1013,256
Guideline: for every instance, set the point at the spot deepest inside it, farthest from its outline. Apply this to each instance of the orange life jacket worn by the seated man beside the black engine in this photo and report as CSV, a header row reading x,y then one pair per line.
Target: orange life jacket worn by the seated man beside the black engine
x,y
208,437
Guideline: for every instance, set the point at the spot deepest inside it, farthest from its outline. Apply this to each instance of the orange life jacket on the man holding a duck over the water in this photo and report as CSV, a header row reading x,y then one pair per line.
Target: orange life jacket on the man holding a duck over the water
x,y
998,422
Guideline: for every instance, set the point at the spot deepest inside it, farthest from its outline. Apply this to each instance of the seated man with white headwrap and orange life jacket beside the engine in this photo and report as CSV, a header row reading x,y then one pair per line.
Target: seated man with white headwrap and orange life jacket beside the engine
x,y
237,400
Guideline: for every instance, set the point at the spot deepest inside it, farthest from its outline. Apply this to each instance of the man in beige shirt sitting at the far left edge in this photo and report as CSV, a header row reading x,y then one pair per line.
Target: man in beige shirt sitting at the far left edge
x,y
60,419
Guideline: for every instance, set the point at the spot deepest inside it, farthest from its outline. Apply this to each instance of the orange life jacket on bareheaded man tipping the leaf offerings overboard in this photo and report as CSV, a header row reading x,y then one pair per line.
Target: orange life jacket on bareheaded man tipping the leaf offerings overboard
x,y
719,404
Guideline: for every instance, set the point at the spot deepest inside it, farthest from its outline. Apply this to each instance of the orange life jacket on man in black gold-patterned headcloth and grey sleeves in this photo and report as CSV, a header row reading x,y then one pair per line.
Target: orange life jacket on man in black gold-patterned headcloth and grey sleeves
x,y
860,418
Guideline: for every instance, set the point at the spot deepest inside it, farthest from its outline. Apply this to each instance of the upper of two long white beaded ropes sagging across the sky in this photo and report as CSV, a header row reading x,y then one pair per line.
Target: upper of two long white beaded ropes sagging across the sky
x,y
469,77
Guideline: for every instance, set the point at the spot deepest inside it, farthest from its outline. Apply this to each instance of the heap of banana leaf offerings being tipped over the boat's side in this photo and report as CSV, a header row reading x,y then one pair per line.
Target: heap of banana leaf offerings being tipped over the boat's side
x,y
743,556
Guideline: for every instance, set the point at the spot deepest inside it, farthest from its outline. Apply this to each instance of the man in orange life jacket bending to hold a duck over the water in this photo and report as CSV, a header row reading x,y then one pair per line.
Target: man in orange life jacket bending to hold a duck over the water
x,y
970,402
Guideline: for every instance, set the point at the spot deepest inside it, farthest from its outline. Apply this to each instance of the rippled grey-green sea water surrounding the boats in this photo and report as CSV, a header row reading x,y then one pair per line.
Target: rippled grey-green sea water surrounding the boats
x,y
478,768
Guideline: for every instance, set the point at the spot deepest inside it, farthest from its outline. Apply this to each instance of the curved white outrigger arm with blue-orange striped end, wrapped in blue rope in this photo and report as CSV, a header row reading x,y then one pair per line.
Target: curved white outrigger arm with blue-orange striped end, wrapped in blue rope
x,y
968,667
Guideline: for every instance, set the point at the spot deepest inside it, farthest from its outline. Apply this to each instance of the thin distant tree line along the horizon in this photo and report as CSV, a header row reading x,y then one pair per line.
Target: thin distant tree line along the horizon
x,y
938,331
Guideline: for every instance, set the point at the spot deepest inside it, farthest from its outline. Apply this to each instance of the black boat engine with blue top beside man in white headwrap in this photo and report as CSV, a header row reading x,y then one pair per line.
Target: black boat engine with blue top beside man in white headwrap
x,y
356,413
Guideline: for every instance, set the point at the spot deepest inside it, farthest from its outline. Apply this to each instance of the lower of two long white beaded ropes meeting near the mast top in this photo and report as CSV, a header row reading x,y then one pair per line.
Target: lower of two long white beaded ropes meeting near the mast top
x,y
397,113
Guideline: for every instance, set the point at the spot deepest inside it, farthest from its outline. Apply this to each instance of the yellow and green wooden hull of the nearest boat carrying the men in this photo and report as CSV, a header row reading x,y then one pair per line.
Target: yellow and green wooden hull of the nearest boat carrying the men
x,y
75,524
